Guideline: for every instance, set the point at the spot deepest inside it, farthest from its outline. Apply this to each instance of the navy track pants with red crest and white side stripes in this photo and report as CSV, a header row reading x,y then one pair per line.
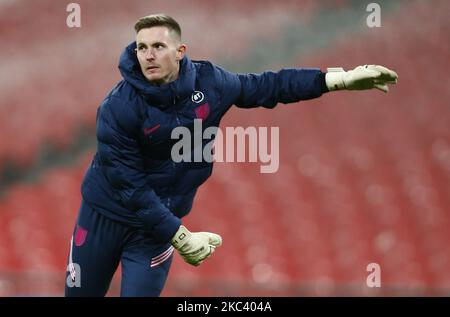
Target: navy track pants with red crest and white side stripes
x,y
98,245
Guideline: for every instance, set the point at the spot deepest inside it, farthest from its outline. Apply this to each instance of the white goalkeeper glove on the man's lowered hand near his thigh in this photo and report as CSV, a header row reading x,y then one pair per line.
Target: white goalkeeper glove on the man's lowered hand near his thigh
x,y
195,247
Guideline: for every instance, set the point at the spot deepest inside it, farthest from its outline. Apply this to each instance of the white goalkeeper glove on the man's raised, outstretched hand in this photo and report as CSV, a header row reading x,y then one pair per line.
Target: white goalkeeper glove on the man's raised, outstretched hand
x,y
360,78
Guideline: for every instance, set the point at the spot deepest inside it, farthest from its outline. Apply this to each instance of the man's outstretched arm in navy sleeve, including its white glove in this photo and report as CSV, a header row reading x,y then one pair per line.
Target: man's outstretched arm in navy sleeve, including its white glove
x,y
292,85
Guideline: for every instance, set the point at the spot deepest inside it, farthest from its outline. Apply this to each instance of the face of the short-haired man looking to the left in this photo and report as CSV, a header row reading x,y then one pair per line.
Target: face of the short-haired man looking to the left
x,y
159,52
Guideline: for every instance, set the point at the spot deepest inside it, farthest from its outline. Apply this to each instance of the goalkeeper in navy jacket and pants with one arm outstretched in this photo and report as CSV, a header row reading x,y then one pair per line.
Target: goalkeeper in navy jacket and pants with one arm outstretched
x,y
133,194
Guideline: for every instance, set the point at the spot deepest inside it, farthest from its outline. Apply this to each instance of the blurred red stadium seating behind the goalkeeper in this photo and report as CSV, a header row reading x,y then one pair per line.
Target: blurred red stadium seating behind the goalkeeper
x,y
364,177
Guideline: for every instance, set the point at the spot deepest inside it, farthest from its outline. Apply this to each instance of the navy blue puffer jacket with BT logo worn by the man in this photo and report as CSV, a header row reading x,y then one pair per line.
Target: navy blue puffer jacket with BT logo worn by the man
x,y
132,178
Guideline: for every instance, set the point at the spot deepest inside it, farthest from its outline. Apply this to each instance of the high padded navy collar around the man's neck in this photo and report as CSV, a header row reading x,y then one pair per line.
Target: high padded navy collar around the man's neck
x,y
164,95
